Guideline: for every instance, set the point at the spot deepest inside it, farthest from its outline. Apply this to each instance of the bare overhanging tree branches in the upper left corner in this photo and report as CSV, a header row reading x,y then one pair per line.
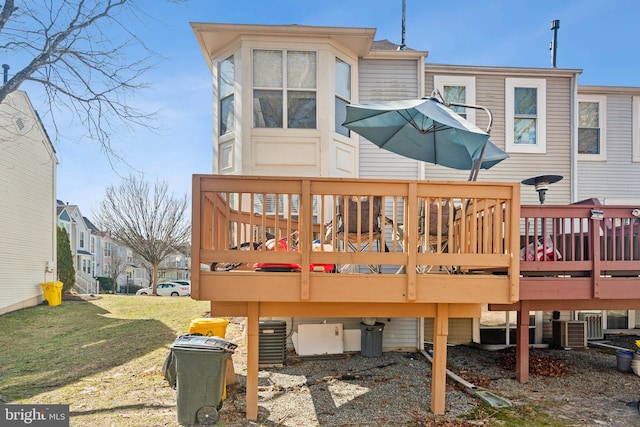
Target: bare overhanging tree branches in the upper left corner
x,y
80,52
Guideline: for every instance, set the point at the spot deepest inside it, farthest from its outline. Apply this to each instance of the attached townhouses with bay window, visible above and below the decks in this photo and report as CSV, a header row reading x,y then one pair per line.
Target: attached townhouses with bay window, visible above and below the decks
x,y
279,101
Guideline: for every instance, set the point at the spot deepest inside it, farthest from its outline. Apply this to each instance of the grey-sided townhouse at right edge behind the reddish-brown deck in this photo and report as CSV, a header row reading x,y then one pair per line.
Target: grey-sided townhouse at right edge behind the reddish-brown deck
x,y
608,164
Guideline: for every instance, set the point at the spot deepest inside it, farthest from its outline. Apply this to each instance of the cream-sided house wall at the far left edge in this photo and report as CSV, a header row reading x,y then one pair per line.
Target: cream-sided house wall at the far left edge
x,y
28,228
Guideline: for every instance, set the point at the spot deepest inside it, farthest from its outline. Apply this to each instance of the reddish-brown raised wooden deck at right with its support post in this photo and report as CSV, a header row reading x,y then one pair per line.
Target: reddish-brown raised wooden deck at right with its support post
x,y
594,264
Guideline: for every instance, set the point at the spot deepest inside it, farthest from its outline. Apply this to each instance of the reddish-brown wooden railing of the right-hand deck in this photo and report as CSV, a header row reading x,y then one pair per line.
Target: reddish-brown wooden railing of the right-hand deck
x,y
589,252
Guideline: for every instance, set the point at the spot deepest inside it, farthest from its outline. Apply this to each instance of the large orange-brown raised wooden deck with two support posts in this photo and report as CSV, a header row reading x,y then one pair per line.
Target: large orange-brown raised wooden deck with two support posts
x,y
430,252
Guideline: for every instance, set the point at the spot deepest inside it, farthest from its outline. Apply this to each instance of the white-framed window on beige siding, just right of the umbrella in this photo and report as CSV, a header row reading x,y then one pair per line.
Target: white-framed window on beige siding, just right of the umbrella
x,y
525,115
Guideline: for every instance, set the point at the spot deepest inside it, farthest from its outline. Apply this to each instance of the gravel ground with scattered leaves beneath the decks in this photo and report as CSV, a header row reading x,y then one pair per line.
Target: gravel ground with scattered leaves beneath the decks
x,y
575,387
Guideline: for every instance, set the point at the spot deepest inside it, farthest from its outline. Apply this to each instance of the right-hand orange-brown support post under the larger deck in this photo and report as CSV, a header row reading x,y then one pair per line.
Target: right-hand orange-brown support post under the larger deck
x,y
439,366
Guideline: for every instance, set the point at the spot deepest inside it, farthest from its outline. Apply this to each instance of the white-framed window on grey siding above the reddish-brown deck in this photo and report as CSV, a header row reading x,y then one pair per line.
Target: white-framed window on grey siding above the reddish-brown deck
x,y
591,127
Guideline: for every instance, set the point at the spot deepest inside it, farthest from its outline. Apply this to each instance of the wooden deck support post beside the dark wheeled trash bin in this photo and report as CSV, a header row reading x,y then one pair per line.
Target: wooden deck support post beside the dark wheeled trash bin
x,y
253,325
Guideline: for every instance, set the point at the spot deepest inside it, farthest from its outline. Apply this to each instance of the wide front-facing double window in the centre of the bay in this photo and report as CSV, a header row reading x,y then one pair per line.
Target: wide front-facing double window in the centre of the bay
x,y
284,89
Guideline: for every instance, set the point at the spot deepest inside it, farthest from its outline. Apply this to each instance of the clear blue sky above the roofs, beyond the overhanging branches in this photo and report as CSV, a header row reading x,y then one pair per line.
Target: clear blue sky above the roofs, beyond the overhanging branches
x,y
599,37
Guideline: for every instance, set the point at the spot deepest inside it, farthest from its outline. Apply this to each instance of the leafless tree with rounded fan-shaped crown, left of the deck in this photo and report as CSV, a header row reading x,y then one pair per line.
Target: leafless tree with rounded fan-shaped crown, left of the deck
x,y
148,220
